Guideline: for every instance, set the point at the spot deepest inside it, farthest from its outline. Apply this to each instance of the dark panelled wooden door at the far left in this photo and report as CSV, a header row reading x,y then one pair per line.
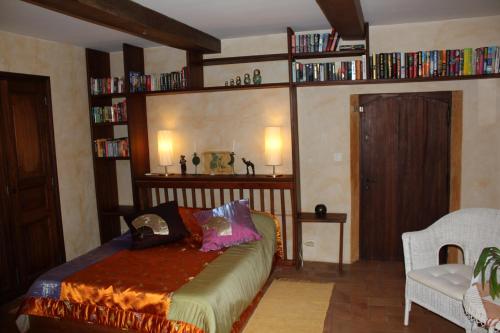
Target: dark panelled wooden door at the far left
x,y
34,222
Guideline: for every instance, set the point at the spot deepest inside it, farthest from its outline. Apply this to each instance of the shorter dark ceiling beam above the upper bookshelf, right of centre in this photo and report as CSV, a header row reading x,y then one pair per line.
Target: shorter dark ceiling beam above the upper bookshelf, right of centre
x,y
346,16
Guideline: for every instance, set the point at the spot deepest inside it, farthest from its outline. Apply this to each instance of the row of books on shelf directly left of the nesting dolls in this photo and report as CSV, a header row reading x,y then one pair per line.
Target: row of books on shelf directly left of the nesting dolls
x,y
158,82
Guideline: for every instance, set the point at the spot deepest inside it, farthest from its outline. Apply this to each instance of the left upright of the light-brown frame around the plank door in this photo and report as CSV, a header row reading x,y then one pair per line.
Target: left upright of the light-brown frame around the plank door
x,y
355,175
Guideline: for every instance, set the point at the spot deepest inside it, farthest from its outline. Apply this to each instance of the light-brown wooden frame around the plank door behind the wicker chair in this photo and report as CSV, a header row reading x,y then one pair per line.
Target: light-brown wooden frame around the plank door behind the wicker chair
x,y
455,165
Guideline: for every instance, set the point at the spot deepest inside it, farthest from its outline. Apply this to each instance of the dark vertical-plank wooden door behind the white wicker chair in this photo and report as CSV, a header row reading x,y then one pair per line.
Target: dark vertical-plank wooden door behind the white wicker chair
x,y
405,162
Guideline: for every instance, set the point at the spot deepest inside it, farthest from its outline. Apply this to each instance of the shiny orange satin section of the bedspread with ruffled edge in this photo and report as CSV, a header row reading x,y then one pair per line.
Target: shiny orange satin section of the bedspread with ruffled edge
x,y
128,290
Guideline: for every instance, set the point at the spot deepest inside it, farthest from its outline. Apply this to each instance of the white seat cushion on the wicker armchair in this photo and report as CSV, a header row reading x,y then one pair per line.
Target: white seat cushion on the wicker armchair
x,y
450,279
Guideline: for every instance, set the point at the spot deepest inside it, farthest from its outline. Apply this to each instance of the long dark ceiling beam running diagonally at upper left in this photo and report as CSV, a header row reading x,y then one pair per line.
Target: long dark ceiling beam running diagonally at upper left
x,y
132,18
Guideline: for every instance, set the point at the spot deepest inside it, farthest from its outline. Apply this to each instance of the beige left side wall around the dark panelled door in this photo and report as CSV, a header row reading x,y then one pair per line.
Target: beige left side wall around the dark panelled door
x,y
65,64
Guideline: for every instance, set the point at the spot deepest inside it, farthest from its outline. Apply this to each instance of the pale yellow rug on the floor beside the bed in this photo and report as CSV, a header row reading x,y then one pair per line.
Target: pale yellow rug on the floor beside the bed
x,y
291,306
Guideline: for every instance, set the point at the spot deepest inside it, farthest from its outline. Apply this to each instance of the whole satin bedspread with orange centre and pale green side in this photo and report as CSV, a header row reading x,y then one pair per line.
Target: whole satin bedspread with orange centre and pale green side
x,y
173,288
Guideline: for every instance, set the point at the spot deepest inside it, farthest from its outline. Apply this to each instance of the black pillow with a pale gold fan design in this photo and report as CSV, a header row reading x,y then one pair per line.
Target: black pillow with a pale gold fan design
x,y
157,225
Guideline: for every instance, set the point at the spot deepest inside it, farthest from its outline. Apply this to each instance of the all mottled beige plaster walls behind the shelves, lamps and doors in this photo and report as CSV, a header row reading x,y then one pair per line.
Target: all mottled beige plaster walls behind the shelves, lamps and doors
x,y
214,120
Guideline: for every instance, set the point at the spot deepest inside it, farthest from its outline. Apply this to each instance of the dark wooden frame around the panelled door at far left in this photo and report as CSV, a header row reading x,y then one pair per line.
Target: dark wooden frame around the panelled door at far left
x,y
45,80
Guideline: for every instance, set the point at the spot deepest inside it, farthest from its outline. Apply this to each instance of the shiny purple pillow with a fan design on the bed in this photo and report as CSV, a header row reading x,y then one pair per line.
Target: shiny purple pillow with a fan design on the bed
x,y
227,225
